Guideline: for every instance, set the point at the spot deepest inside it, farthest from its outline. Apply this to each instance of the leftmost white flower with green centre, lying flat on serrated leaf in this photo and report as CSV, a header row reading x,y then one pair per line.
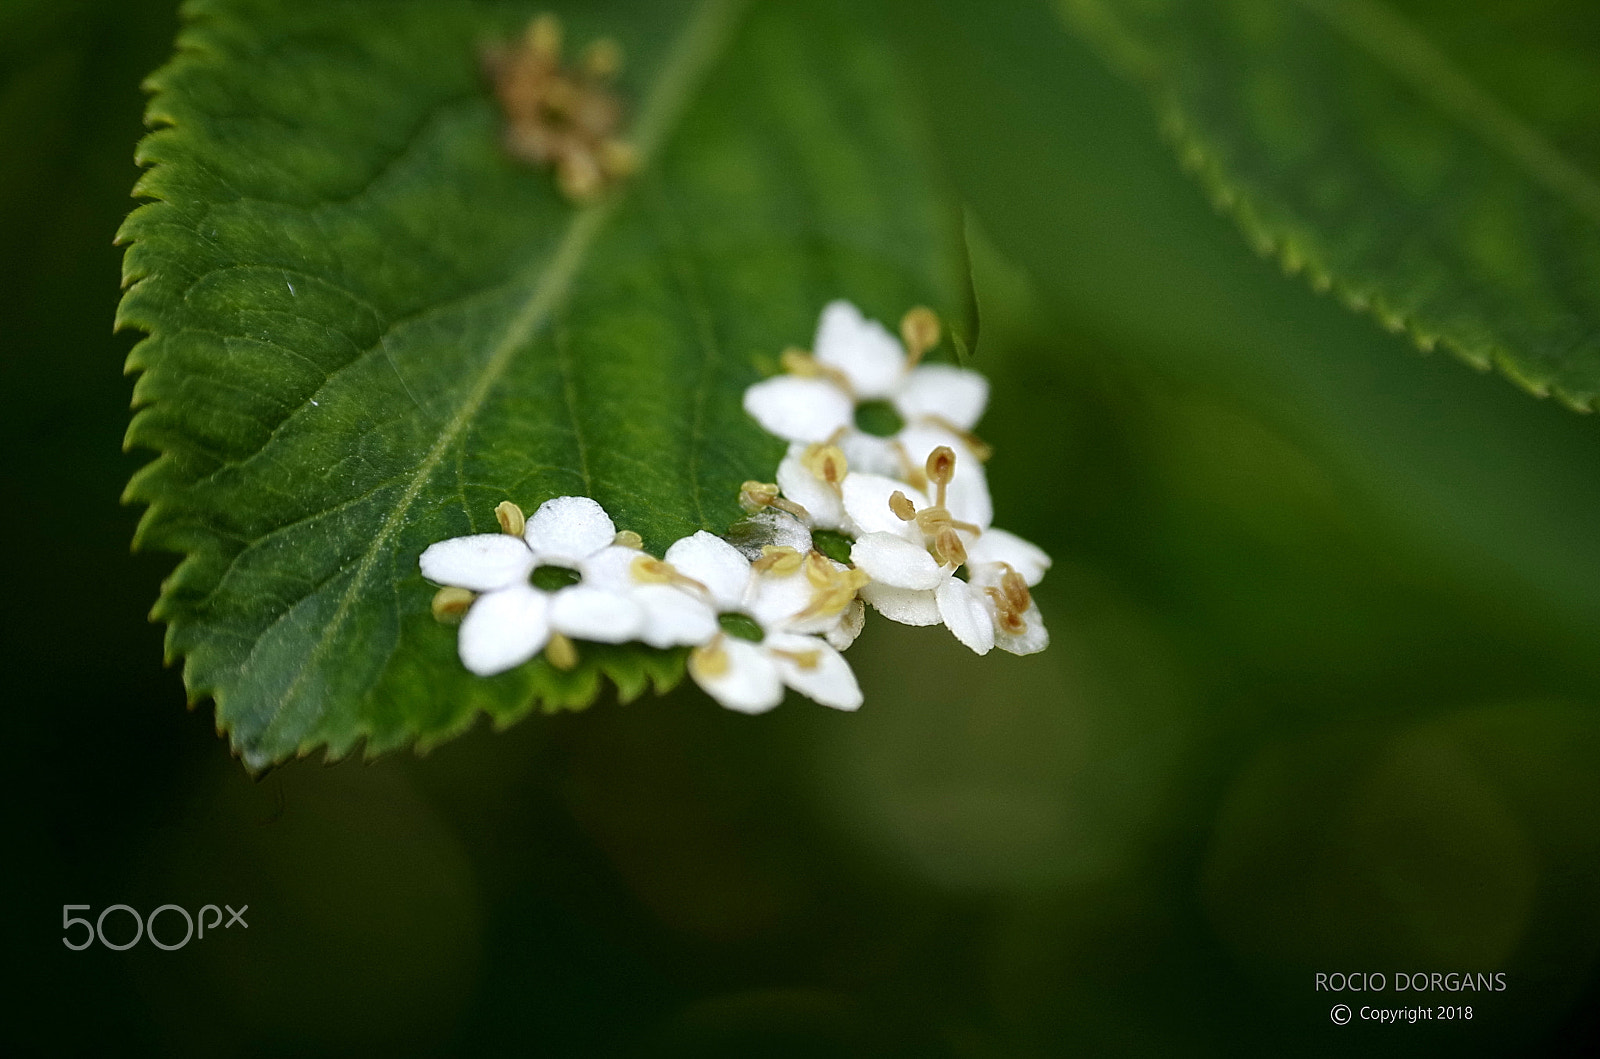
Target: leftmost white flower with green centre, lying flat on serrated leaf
x,y
513,620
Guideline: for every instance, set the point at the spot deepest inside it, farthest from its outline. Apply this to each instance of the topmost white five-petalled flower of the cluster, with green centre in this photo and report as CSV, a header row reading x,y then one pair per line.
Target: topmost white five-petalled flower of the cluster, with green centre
x,y
860,367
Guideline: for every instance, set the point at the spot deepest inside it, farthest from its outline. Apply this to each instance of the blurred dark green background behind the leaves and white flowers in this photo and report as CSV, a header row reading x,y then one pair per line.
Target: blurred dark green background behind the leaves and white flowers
x,y
1322,695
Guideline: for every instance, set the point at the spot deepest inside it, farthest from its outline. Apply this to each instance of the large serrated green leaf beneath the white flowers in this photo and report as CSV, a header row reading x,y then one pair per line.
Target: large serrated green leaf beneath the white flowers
x,y
369,327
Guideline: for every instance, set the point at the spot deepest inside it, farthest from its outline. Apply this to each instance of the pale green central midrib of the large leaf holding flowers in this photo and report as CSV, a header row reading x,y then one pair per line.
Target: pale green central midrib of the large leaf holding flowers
x,y
690,57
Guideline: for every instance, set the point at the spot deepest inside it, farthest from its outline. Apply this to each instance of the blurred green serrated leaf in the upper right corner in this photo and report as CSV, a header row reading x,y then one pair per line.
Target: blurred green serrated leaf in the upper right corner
x,y
1434,164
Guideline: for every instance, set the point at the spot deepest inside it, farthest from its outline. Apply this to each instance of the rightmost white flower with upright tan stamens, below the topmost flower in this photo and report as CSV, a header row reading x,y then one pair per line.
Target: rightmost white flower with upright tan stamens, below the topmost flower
x,y
913,548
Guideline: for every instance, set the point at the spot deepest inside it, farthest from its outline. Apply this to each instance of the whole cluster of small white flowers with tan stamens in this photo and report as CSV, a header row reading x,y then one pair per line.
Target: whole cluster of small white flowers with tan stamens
x,y
882,462
